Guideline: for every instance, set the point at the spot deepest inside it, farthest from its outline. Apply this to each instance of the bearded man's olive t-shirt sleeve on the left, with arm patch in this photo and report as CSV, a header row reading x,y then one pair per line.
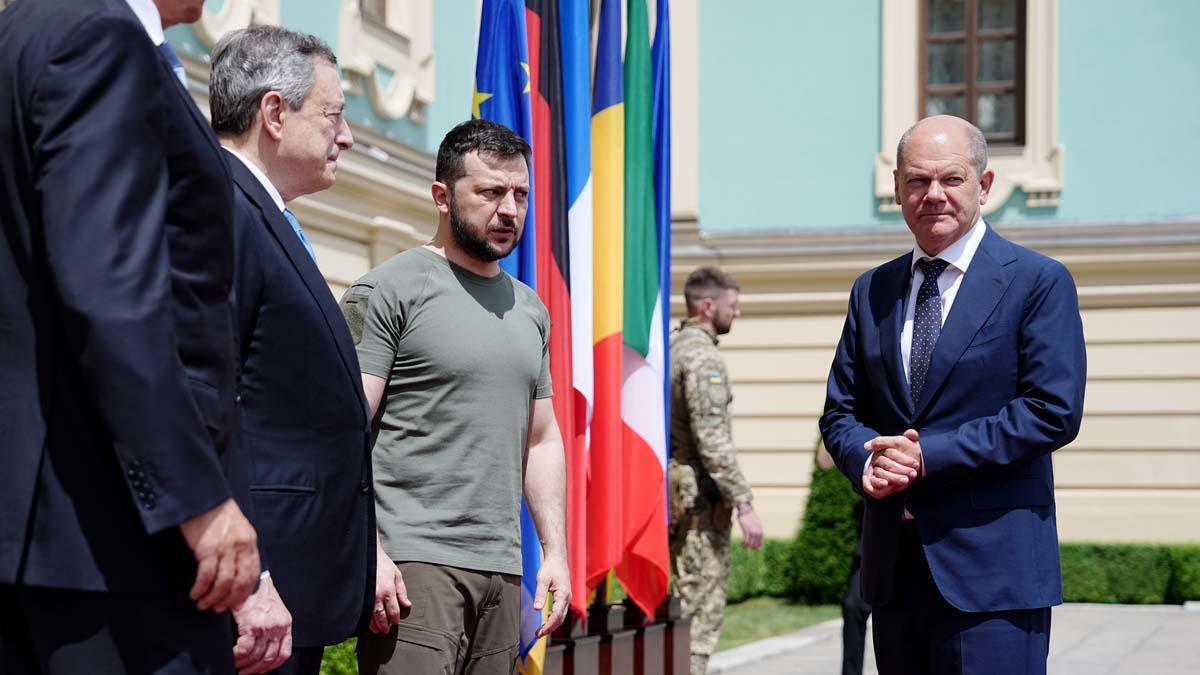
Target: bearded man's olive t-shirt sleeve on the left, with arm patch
x,y
376,322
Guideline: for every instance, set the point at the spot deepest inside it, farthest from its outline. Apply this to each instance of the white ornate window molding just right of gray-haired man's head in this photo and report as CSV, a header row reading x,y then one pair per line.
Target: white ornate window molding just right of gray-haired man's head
x,y
393,61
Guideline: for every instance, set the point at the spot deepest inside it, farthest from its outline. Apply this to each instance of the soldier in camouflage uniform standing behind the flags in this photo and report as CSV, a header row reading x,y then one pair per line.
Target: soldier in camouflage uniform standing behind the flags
x,y
706,483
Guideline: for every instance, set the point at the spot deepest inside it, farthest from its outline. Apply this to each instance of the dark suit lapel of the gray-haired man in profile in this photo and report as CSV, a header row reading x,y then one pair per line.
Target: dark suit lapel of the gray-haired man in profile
x,y
304,266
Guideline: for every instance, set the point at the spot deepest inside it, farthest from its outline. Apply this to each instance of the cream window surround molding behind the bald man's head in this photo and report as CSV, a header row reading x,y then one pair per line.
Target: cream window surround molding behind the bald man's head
x,y
1036,168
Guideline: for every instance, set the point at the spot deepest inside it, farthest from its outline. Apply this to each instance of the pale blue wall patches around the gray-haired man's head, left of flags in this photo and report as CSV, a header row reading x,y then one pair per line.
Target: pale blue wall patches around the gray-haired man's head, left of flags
x,y
454,45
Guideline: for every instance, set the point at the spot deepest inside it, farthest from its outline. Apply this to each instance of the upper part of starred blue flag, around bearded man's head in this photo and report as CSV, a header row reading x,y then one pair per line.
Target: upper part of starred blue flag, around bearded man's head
x,y
502,95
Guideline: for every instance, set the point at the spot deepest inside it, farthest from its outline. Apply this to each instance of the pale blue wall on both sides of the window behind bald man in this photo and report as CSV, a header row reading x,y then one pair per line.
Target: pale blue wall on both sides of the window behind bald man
x,y
790,99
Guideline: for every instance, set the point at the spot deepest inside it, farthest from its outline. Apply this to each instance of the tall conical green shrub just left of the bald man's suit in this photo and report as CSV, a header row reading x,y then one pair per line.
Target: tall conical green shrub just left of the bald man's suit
x,y
826,542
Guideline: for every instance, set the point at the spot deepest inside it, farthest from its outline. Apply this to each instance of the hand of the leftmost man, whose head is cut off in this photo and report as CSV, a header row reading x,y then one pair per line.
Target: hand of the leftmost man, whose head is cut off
x,y
226,549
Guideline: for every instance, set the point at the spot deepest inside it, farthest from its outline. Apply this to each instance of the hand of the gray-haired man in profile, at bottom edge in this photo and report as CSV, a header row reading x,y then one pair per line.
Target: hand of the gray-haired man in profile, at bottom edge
x,y
265,631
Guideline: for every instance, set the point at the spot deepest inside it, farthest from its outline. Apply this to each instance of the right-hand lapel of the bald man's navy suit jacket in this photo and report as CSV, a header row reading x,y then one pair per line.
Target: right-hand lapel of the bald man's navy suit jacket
x,y
983,286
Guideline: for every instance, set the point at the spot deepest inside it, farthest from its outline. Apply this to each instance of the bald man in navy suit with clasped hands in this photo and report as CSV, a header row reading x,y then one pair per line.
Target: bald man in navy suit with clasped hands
x,y
961,369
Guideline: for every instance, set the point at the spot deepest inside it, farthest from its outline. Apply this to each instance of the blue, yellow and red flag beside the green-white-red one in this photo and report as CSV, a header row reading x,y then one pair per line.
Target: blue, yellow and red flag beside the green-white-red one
x,y
605,516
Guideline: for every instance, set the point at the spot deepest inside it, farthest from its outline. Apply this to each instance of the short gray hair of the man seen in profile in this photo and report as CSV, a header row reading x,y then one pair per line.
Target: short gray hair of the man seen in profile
x,y
250,63
